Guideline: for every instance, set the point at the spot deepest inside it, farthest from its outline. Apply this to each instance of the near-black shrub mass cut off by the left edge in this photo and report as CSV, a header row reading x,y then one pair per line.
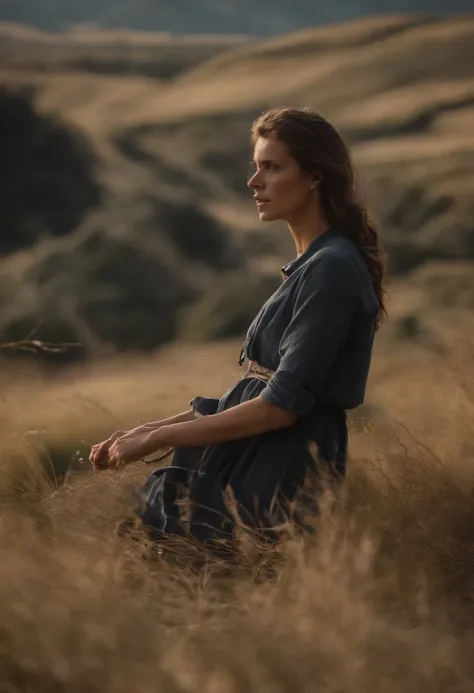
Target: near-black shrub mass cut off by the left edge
x,y
49,181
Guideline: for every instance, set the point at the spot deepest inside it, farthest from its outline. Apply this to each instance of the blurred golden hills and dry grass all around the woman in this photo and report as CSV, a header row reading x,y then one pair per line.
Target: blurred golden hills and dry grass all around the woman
x,y
127,232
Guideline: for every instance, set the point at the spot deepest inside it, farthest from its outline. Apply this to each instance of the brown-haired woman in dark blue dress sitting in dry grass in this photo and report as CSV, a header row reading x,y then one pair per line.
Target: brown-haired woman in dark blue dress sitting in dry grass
x,y
308,351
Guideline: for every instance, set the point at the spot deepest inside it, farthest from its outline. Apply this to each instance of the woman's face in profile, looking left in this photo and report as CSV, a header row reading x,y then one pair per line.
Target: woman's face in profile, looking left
x,y
282,190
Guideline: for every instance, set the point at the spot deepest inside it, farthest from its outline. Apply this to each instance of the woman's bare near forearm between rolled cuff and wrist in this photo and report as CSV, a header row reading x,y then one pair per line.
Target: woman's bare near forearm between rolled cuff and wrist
x,y
244,420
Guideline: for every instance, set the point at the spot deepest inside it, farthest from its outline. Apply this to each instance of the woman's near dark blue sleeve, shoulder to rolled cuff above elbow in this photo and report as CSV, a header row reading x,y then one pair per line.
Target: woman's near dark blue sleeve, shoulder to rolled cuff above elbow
x,y
324,308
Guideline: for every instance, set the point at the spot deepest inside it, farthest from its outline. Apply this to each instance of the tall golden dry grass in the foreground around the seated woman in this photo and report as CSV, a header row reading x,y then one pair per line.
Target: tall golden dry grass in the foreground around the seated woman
x,y
379,599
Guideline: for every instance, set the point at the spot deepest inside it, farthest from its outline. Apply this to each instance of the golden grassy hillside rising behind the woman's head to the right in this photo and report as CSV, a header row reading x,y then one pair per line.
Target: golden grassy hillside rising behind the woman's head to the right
x,y
400,89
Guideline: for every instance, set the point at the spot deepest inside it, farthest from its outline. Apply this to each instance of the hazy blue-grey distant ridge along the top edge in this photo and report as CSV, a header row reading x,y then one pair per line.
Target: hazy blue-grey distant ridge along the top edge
x,y
208,16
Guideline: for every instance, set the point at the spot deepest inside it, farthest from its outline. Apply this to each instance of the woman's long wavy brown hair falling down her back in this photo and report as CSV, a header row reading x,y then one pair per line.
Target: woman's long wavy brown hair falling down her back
x,y
319,148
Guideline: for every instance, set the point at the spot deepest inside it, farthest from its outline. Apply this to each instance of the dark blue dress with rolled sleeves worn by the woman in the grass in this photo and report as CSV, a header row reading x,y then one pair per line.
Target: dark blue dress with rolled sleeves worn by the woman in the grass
x,y
316,332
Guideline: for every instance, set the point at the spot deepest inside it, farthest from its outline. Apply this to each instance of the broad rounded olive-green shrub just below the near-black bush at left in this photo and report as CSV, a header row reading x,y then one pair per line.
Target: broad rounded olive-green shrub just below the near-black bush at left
x,y
99,291
